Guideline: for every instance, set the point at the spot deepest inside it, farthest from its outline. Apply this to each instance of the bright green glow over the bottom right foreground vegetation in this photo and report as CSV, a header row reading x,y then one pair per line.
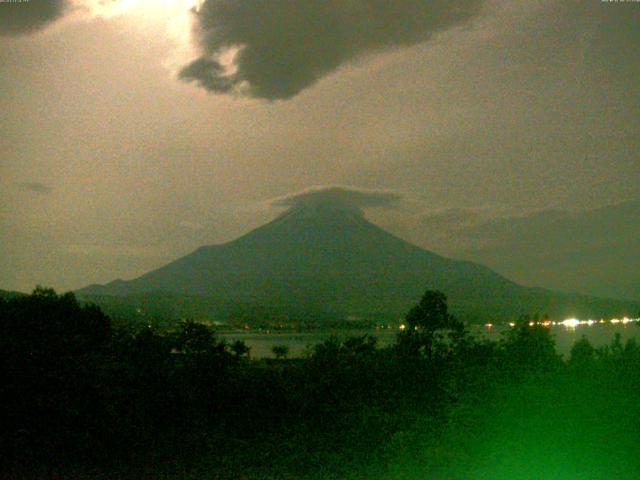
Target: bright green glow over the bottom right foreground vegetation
x,y
549,431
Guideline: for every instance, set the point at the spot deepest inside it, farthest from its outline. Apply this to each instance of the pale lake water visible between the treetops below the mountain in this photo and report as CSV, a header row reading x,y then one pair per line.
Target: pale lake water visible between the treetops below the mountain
x,y
301,343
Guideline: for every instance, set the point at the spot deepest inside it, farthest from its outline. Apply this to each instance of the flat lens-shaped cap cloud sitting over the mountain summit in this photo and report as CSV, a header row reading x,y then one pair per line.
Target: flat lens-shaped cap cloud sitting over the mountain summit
x,y
343,196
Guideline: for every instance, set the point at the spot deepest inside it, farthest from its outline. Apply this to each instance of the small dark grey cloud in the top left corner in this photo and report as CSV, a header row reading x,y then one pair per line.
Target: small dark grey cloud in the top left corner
x,y
17,18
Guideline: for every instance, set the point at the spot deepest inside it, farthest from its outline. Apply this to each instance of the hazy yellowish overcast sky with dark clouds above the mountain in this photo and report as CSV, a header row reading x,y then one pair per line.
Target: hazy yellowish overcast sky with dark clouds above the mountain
x,y
133,132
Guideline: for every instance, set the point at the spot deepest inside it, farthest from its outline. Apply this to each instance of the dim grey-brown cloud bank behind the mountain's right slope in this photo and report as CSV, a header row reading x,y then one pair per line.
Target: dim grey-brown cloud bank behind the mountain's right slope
x,y
595,251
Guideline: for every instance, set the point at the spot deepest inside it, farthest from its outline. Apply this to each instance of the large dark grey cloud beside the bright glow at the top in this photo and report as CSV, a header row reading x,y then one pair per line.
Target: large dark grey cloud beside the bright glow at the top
x,y
284,46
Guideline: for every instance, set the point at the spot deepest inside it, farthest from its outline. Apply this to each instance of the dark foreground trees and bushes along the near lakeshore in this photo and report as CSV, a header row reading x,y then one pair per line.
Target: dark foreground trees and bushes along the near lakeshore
x,y
83,399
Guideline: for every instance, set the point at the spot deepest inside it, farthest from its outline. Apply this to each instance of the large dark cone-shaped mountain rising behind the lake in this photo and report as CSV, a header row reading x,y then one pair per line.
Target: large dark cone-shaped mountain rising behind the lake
x,y
326,258
